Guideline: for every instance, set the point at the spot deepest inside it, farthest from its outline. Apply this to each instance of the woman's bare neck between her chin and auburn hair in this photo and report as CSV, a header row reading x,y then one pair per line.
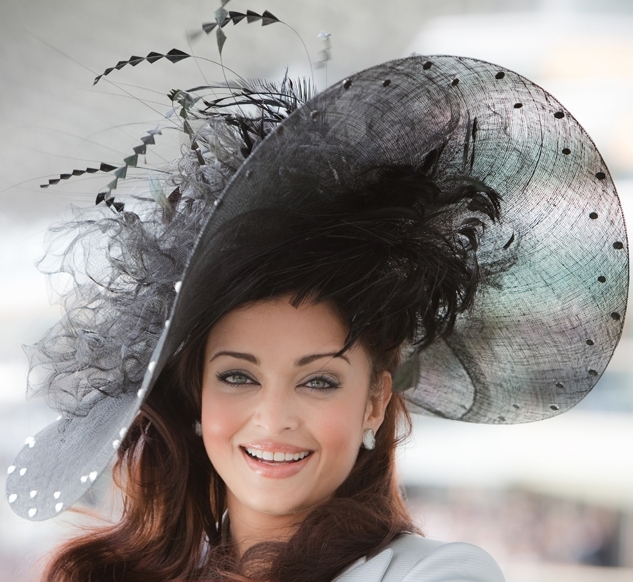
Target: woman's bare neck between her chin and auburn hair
x,y
249,527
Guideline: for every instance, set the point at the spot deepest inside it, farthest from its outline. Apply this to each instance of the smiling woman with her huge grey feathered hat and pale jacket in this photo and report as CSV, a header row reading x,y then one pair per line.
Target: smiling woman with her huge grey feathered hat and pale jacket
x,y
437,231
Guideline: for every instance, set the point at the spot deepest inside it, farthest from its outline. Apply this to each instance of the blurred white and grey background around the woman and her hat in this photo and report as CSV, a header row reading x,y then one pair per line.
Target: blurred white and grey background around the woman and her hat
x,y
551,500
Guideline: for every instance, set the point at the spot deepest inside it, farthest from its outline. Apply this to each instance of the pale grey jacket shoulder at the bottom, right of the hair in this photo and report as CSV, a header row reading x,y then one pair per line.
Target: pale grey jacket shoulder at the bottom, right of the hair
x,y
411,558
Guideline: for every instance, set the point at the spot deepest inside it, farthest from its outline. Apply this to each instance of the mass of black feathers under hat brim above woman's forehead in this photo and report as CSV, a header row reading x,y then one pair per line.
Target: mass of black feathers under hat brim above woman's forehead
x,y
395,256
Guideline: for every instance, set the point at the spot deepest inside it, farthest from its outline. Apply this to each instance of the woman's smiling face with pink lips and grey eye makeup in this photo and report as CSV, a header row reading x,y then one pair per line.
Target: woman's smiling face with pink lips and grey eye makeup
x,y
282,415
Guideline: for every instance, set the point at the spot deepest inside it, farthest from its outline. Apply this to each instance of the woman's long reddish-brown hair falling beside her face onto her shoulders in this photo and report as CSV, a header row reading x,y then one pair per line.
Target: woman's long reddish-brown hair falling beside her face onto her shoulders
x,y
174,501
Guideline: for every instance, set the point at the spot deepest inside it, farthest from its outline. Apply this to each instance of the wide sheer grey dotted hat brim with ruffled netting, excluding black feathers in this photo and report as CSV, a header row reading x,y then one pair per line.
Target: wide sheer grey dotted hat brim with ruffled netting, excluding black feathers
x,y
538,337
